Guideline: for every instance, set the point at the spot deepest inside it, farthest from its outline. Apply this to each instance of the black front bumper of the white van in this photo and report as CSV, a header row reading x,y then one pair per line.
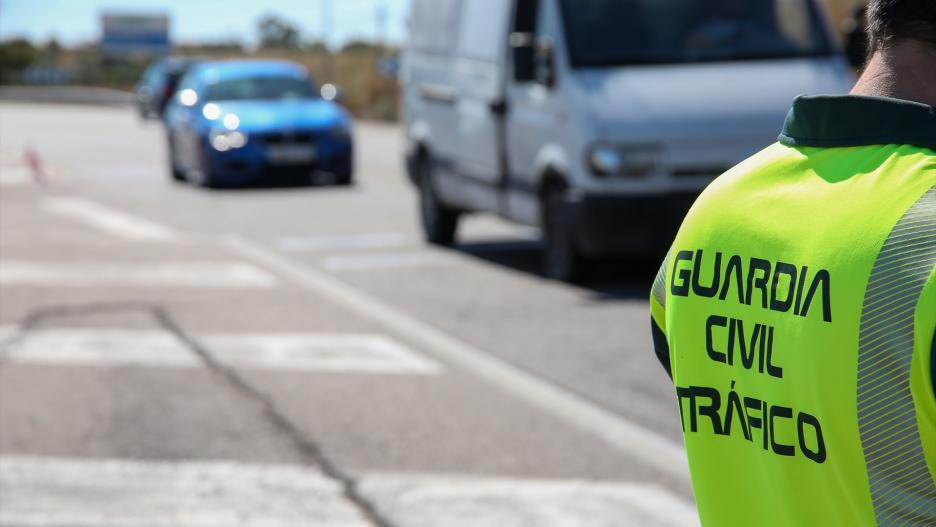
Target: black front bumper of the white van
x,y
616,224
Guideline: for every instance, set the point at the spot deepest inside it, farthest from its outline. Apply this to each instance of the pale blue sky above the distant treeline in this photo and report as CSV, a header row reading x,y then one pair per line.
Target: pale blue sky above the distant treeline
x,y
77,21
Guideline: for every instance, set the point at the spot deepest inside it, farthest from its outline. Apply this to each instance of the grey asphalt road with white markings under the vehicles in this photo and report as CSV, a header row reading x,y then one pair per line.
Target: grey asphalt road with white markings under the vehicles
x,y
298,356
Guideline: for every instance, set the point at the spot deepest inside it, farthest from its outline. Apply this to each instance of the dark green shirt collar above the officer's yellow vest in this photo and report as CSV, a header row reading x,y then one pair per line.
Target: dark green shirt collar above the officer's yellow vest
x,y
839,121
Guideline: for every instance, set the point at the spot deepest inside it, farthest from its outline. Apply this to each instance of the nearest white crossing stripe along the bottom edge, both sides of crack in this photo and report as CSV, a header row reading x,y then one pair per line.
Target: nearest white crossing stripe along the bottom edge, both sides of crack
x,y
60,492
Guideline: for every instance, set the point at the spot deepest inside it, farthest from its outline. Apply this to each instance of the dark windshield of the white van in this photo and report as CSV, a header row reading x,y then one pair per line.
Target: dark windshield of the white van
x,y
604,33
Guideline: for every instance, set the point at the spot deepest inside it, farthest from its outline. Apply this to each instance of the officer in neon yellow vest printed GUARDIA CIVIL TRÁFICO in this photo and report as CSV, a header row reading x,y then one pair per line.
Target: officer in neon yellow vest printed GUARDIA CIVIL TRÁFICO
x,y
796,310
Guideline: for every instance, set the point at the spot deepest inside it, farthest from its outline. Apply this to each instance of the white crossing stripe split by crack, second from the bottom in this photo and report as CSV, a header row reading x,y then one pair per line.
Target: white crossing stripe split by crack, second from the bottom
x,y
372,354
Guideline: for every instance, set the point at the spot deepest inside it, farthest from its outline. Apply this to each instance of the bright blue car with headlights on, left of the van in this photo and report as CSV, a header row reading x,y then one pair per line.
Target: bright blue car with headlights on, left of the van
x,y
256,121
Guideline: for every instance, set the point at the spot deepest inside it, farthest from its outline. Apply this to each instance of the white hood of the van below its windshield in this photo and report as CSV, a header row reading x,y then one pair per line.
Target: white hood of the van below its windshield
x,y
732,99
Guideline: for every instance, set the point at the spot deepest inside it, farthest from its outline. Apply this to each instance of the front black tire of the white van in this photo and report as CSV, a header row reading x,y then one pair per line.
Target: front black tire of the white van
x,y
561,260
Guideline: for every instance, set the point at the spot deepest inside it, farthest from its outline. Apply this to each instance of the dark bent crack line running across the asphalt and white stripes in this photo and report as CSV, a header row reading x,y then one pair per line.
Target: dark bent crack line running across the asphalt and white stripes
x,y
308,448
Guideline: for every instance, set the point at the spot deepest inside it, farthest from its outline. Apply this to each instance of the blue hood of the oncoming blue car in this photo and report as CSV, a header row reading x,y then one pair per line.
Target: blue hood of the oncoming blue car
x,y
262,116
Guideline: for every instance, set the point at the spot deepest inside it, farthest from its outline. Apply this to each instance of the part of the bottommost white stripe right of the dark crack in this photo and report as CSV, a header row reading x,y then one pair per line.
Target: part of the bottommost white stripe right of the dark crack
x,y
459,501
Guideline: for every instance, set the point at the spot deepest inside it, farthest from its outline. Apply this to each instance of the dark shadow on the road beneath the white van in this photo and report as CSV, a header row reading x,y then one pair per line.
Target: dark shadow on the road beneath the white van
x,y
609,279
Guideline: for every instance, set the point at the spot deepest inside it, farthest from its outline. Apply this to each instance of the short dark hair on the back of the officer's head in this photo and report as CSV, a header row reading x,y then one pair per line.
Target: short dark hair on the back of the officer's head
x,y
890,21
